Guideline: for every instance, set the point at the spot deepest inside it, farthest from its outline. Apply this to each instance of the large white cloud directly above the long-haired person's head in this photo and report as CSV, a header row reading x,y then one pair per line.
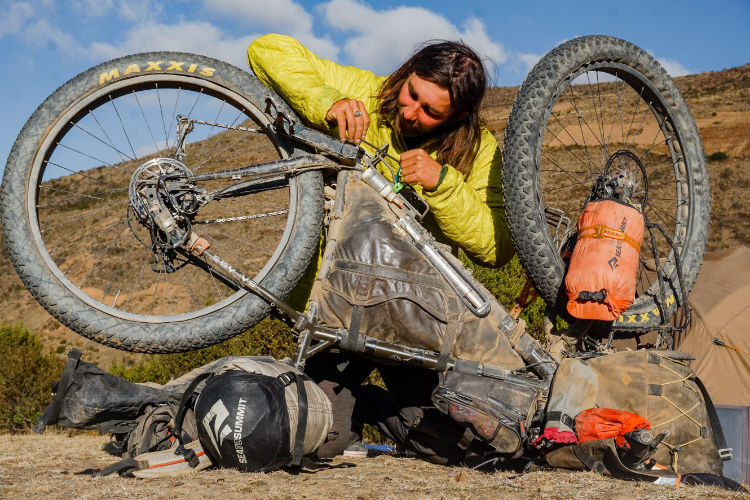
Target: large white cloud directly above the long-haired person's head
x,y
383,39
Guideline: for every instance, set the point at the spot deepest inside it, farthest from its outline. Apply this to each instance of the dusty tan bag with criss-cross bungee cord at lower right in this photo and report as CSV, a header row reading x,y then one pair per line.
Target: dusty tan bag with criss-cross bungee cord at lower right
x,y
658,385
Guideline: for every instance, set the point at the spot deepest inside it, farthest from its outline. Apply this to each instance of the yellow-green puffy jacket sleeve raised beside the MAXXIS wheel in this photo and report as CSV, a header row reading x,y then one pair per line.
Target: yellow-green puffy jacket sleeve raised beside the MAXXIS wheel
x,y
308,83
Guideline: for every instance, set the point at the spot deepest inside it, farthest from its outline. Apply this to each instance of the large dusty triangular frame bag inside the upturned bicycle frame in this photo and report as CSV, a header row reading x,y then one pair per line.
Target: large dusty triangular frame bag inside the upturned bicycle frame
x,y
372,281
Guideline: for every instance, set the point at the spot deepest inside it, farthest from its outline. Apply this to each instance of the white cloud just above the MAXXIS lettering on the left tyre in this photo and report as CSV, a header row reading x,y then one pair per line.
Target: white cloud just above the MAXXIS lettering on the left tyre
x,y
197,37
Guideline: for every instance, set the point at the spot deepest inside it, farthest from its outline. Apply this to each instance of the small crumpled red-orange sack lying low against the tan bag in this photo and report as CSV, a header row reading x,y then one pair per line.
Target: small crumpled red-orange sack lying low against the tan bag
x,y
603,423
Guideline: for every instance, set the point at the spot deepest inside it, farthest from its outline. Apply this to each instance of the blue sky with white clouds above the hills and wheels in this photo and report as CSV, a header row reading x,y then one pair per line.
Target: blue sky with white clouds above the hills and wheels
x,y
46,42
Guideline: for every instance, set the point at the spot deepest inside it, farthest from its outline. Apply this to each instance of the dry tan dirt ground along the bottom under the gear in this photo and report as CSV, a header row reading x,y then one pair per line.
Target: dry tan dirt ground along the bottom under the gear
x,y
59,465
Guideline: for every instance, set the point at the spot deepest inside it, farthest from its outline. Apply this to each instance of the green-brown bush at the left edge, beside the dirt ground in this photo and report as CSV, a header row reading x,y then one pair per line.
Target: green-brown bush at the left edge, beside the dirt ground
x,y
26,377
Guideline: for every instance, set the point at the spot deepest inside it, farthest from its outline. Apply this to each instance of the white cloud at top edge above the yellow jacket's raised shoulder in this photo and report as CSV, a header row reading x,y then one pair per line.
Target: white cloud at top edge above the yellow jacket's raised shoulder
x,y
280,16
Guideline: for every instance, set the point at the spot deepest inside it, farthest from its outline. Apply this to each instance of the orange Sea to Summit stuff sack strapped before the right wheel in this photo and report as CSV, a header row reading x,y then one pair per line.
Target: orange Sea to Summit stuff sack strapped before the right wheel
x,y
601,277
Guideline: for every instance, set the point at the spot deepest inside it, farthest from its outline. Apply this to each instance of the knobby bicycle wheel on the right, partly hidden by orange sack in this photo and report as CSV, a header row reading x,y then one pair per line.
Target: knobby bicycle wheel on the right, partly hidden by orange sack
x,y
591,103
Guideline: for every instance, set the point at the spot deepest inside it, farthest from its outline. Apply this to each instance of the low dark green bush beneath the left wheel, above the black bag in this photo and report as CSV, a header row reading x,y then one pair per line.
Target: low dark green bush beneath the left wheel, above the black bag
x,y
270,337
